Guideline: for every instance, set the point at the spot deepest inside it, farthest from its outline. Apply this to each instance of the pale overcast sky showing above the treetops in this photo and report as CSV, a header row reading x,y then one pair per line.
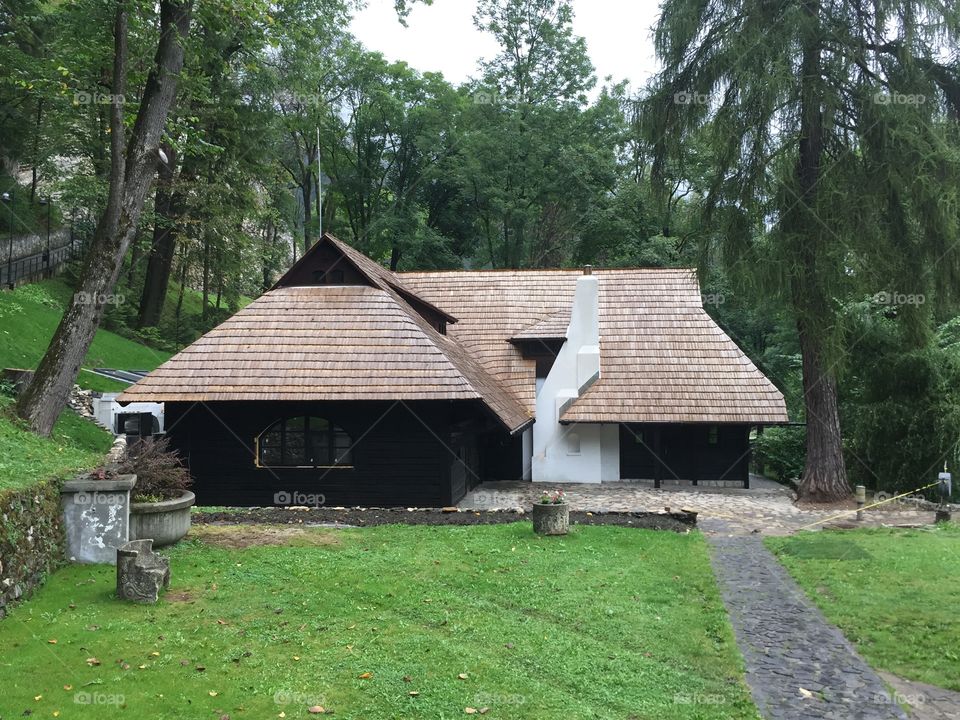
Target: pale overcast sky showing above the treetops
x,y
441,37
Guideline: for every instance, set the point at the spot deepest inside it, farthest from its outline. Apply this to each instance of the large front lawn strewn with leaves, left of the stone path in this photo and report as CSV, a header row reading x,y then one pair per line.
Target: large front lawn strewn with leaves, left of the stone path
x,y
388,622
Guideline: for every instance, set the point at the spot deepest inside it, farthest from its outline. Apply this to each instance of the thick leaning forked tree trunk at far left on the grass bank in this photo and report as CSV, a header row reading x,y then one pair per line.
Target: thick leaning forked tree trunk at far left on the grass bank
x,y
131,172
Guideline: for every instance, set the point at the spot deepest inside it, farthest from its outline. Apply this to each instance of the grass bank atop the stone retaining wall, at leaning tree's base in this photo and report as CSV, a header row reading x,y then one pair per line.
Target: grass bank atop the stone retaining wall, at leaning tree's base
x,y
25,458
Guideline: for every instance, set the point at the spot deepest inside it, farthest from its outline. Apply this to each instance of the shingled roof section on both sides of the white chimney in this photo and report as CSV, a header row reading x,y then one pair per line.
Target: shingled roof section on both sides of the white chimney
x,y
662,357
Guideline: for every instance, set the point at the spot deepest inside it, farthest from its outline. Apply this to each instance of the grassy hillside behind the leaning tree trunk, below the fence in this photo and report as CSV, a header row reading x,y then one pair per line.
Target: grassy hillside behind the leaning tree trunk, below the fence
x,y
29,316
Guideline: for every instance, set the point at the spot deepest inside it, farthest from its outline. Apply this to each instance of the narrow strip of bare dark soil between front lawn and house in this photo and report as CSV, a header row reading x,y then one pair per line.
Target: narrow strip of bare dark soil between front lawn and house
x,y
367,517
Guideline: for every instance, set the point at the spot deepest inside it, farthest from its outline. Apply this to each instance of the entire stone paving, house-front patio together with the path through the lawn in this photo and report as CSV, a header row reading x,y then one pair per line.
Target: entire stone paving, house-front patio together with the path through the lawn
x,y
786,642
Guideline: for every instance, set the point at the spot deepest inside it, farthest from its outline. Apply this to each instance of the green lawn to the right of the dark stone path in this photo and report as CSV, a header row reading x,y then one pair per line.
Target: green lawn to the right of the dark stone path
x,y
894,593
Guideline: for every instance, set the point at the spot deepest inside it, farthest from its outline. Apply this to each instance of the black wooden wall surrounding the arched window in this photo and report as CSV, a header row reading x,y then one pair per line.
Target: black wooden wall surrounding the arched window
x,y
403,453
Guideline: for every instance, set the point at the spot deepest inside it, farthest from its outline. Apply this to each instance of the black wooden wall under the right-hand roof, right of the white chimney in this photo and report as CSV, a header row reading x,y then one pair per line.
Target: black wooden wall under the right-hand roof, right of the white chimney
x,y
669,451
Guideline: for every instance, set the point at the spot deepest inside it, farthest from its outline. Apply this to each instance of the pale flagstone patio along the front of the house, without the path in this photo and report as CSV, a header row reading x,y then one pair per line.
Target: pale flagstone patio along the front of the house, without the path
x,y
767,507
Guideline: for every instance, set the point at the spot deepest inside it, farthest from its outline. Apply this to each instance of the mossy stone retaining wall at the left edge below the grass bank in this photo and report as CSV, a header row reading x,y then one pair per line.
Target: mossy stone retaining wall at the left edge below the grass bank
x,y
32,541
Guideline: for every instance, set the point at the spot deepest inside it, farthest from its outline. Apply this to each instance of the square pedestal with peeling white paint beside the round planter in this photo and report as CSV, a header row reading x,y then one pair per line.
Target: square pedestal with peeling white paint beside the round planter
x,y
96,517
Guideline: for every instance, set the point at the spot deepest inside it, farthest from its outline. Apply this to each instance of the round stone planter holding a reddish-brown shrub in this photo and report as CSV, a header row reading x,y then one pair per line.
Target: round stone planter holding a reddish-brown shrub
x,y
161,499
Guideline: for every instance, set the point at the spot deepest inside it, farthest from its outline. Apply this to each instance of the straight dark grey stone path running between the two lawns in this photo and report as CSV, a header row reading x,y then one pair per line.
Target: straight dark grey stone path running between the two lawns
x,y
799,666
